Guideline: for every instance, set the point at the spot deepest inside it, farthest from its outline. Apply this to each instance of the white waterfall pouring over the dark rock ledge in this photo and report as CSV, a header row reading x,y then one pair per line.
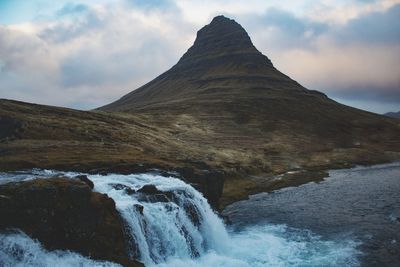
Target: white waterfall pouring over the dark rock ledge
x,y
173,221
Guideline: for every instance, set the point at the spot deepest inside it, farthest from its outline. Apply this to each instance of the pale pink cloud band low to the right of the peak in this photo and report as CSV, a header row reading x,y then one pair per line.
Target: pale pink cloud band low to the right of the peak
x,y
334,69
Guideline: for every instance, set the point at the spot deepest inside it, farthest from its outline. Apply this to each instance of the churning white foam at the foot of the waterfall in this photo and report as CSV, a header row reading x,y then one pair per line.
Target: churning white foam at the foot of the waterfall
x,y
268,245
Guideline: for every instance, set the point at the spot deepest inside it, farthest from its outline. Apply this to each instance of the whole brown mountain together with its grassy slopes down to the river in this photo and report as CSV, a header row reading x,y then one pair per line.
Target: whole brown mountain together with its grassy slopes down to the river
x,y
222,109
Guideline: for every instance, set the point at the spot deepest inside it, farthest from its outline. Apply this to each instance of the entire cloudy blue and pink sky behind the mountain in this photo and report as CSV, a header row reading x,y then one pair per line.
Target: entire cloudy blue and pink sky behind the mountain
x,y
84,54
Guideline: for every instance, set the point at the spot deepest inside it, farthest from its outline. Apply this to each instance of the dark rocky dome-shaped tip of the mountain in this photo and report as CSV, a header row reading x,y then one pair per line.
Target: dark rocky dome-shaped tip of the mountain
x,y
221,36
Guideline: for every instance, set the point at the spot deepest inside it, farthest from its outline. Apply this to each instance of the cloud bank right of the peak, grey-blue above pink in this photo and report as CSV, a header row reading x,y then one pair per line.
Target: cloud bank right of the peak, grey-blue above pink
x,y
359,59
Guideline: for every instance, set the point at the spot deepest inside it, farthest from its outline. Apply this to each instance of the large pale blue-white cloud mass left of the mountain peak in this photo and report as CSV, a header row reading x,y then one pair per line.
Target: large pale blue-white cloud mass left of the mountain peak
x,y
90,55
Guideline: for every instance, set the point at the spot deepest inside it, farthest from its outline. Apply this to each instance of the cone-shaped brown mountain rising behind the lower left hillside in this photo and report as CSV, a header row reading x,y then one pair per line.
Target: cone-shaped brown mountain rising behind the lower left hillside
x,y
227,98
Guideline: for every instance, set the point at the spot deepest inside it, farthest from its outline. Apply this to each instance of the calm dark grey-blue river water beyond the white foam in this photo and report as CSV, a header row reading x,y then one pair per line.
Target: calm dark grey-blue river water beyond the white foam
x,y
361,203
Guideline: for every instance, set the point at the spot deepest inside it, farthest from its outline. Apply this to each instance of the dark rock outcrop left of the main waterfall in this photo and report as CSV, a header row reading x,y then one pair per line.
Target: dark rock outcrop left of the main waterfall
x,y
65,214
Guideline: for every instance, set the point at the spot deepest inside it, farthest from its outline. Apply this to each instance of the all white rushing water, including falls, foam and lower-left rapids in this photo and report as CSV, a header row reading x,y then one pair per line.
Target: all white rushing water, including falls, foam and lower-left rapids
x,y
173,225
